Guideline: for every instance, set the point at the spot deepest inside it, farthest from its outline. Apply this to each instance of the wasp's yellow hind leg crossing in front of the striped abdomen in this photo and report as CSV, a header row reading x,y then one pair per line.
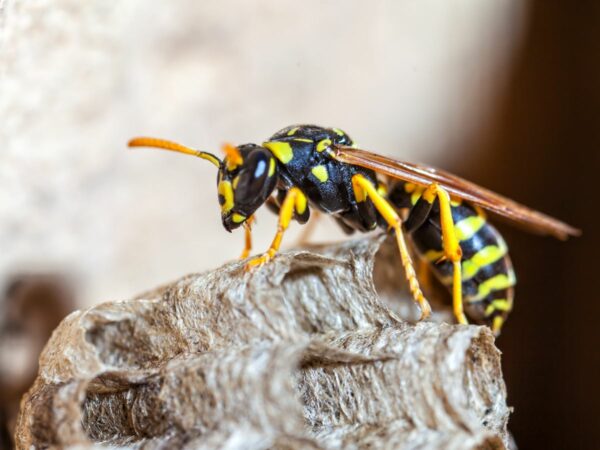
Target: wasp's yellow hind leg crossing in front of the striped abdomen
x,y
452,250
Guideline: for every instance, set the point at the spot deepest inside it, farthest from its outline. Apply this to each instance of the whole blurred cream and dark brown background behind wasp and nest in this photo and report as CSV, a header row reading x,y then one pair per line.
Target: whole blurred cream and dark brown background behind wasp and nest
x,y
504,93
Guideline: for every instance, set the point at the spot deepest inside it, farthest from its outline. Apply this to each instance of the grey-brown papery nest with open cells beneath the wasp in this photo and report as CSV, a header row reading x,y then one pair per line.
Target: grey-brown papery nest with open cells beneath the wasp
x,y
299,354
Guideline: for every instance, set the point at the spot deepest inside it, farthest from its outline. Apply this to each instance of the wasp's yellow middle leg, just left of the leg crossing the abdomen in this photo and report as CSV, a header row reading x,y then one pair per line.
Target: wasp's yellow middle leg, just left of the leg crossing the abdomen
x,y
363,188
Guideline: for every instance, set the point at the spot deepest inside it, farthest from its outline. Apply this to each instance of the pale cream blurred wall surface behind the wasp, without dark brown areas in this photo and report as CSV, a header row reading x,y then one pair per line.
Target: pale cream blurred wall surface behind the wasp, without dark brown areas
x,y
78,79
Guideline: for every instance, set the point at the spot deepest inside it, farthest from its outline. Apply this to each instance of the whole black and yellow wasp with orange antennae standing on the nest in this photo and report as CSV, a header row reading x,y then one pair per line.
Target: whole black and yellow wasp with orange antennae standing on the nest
x,y
307,166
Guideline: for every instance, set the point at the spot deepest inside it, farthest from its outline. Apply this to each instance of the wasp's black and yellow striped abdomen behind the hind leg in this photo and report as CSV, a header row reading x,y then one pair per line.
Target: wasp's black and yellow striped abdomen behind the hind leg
x,y
487,272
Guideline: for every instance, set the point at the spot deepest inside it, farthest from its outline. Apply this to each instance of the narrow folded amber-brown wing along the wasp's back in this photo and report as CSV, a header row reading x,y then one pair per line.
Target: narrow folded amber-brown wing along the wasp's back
x,y
456,187
